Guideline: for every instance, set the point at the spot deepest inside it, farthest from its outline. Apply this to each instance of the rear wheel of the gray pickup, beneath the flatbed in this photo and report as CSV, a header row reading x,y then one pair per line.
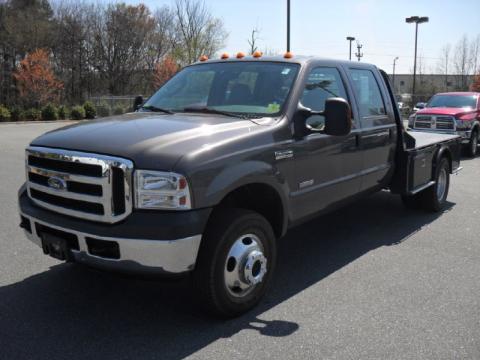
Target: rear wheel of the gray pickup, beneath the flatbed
x,y
434,198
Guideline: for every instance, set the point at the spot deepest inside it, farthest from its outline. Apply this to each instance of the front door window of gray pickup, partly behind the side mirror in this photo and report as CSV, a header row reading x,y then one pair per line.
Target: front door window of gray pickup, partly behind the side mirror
x,y
322,83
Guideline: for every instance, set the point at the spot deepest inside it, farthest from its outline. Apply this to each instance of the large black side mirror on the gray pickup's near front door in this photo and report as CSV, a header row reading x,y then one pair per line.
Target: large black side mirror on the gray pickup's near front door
x,y
337,113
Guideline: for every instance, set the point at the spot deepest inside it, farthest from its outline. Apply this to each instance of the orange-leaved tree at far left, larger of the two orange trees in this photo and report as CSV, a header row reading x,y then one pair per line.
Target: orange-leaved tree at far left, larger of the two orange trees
x,y
35,79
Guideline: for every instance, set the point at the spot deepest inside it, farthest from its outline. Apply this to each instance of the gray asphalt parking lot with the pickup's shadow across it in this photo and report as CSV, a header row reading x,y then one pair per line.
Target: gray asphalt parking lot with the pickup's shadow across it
x,y
371,281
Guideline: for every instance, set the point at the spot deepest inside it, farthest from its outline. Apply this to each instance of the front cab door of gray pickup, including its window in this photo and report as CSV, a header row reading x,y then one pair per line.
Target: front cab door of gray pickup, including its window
x,y
327,167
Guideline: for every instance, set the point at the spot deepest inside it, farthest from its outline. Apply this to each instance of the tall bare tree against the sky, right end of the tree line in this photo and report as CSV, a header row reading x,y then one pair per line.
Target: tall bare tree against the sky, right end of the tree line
x,y
199,33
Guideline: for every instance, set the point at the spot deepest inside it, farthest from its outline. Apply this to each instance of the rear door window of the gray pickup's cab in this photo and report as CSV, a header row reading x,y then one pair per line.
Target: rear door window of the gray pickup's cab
x,y
369,97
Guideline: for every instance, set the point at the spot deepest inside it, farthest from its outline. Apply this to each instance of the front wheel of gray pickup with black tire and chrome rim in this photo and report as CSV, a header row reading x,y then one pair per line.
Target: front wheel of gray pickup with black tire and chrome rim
x,y
234,239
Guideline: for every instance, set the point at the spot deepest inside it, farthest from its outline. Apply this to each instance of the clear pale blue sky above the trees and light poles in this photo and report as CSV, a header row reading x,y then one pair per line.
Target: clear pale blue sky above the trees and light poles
x,y
319,27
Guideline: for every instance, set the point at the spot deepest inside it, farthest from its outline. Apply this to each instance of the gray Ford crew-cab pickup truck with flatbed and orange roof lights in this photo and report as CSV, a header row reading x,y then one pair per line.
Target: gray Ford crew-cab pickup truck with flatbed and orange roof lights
x,y
219,163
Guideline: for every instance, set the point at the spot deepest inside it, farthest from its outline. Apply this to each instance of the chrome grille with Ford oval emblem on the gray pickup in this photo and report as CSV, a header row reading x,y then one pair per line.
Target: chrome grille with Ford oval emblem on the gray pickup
x,y
88,186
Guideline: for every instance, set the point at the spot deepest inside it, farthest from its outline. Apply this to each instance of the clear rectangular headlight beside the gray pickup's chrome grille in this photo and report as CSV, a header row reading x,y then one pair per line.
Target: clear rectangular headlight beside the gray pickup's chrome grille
x,y
161,190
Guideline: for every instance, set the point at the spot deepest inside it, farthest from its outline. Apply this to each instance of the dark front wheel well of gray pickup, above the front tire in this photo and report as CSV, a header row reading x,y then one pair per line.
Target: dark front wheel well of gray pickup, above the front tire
x,y
260,198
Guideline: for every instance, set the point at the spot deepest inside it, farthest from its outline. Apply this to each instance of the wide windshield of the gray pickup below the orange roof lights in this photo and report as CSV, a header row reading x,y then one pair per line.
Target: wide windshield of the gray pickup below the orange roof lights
x,y
244,88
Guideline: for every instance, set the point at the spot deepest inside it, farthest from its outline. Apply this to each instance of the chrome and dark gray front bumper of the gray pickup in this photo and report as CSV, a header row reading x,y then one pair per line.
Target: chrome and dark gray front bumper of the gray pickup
x,y
171,249
